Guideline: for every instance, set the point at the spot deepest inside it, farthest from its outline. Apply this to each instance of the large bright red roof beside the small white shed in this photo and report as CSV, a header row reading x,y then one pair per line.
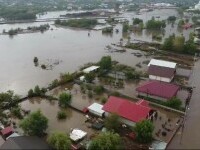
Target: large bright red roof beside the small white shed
x,y
127,109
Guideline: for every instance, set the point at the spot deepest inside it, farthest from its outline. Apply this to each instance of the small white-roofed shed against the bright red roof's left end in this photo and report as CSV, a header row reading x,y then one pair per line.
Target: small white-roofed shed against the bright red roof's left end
x,y
96,109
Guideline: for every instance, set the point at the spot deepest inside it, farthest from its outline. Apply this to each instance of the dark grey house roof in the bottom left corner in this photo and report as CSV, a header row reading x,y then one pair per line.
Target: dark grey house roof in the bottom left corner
x,y
25,142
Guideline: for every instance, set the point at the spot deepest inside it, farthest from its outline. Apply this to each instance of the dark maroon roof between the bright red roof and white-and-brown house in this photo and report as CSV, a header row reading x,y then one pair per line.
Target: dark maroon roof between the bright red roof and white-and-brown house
x,y
160,89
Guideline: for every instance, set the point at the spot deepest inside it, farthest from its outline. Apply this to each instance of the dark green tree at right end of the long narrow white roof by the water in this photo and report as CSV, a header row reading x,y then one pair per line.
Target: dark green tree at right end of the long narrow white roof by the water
x,y
106,63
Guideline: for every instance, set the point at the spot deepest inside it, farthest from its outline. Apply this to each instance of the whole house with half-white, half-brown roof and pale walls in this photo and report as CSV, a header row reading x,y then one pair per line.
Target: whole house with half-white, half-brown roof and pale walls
x,y
161,70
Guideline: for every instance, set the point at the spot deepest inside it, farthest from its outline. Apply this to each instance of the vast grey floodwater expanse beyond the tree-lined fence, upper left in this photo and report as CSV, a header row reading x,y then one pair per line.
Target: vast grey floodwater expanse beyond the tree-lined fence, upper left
x,y
71,47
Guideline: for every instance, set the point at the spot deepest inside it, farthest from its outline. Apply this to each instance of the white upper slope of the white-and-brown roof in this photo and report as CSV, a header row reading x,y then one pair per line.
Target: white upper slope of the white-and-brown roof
x,y
162,63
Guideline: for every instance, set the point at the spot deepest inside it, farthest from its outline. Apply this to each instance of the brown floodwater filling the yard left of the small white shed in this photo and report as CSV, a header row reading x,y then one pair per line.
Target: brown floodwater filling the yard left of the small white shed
x,y
49,109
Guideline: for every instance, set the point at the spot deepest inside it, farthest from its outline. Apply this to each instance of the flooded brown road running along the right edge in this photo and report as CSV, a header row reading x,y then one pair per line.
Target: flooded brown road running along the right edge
x,y
190,138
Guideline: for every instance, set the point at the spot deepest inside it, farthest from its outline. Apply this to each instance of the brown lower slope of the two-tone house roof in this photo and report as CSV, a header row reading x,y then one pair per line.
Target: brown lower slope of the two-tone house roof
x,y
161,71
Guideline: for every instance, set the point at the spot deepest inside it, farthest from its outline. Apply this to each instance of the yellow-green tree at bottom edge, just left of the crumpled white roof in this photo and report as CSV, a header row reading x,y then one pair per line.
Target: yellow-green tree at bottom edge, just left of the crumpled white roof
x,y
59,141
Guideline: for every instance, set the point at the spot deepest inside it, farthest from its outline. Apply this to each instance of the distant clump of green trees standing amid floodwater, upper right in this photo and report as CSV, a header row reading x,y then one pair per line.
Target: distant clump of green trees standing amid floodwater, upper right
x,y
155,24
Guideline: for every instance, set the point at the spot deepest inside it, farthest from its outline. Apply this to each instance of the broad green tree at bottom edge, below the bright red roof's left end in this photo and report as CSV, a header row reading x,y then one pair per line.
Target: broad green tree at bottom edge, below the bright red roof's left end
x,y
106,141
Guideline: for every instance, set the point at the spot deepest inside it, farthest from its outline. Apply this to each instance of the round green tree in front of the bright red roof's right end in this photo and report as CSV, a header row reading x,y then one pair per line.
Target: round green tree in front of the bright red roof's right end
x,y
144,130
